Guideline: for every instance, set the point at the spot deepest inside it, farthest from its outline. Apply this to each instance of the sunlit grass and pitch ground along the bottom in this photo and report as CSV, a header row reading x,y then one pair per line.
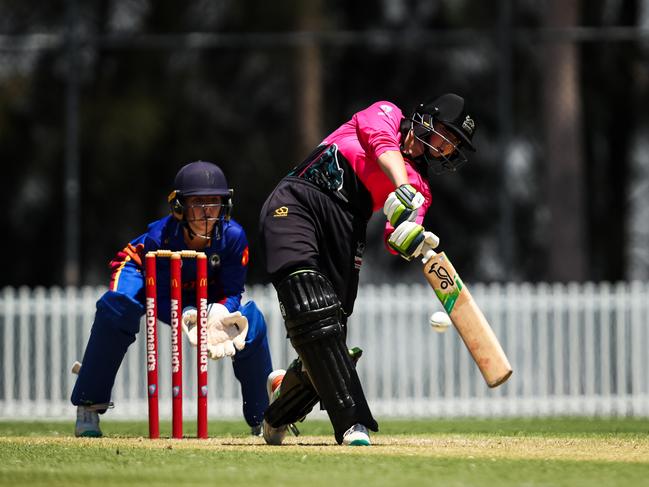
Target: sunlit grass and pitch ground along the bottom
x,y
570,452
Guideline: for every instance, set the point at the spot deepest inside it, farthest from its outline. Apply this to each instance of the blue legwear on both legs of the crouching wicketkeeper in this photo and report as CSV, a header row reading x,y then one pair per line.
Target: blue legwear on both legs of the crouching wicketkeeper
x,y
117,321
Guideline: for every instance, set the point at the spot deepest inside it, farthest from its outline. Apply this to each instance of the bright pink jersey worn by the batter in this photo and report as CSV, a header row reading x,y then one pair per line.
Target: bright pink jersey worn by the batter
x,y
363,139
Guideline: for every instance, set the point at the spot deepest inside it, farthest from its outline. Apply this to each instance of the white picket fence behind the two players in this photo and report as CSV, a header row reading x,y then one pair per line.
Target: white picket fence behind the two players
x,y
575,350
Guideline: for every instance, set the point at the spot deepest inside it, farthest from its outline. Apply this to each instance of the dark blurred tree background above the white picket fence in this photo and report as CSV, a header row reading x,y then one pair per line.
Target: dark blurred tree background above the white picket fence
x,y
102,101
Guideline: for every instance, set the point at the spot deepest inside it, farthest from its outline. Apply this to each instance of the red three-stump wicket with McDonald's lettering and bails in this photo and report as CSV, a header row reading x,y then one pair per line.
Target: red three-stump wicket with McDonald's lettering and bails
x,y
176,340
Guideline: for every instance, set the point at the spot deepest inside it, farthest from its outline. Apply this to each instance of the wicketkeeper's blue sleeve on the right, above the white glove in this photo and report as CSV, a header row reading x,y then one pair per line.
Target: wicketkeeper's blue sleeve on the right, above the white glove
x,y
234,265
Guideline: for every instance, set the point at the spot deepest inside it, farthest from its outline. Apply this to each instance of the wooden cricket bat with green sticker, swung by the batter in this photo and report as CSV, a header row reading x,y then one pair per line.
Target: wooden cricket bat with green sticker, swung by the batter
x,y
467,318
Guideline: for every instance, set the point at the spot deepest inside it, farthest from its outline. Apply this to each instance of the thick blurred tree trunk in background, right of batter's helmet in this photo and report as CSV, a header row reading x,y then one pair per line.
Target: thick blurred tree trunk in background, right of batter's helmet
x,y
564,158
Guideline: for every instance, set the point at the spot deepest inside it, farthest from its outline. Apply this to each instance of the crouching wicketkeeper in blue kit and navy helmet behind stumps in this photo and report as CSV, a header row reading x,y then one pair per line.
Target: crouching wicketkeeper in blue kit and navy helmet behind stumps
x,y
201,203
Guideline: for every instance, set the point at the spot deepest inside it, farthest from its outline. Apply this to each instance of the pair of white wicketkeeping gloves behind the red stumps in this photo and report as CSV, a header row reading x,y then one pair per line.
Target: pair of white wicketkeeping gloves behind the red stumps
x,y
226,332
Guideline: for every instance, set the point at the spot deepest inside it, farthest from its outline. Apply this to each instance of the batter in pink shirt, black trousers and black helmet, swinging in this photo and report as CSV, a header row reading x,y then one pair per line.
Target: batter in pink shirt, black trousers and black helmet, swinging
x,y
313,229
